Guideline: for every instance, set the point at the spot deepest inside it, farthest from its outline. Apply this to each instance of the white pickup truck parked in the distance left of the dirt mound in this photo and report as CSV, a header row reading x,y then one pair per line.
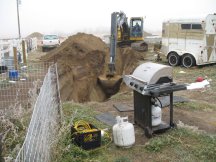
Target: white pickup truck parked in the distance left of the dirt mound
x,y
49,42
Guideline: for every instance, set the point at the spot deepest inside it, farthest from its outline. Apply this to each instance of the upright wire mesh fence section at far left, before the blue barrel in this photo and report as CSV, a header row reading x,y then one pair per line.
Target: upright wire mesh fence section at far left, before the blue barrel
x,y
21,87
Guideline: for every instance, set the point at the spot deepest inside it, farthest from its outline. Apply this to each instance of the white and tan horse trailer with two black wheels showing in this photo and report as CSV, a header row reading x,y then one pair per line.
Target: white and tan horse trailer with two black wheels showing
x,y
190,41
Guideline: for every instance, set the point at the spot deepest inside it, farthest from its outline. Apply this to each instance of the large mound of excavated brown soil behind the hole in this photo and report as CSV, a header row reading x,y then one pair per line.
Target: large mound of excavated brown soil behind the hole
x,y
81,59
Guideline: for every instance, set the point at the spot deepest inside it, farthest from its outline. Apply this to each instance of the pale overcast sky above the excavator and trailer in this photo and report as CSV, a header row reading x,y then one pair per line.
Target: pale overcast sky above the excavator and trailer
x,y
71,16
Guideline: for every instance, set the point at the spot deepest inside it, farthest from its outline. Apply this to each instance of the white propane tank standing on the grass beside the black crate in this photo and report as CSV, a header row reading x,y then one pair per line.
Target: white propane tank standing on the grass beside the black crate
x,y
123,132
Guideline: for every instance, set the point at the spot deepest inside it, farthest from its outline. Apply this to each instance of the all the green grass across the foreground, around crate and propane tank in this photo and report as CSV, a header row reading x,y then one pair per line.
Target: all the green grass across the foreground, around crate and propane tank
x,y
181,144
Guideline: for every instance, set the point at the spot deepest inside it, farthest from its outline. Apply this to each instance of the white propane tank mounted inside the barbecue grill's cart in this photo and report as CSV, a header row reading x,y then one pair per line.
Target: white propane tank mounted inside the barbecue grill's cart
x,y
156,115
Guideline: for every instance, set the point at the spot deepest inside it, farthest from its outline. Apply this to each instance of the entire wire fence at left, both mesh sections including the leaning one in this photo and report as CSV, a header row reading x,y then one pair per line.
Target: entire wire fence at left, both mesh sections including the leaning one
x,y
32,89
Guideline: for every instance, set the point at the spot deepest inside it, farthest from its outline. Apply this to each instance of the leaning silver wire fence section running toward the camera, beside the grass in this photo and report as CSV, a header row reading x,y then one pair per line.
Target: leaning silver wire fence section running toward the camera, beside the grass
x,y
44,122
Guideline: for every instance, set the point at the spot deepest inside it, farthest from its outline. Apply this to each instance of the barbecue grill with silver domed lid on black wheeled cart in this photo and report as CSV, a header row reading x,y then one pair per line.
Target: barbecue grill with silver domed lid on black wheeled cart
x,y
150,81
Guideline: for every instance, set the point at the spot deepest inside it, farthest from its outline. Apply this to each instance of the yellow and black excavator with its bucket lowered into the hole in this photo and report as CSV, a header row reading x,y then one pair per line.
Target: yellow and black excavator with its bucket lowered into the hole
x,y
121,35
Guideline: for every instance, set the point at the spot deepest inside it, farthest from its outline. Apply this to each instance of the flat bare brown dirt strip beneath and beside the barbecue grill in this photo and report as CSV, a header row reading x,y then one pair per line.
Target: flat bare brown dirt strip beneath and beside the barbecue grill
x,y
205,121
